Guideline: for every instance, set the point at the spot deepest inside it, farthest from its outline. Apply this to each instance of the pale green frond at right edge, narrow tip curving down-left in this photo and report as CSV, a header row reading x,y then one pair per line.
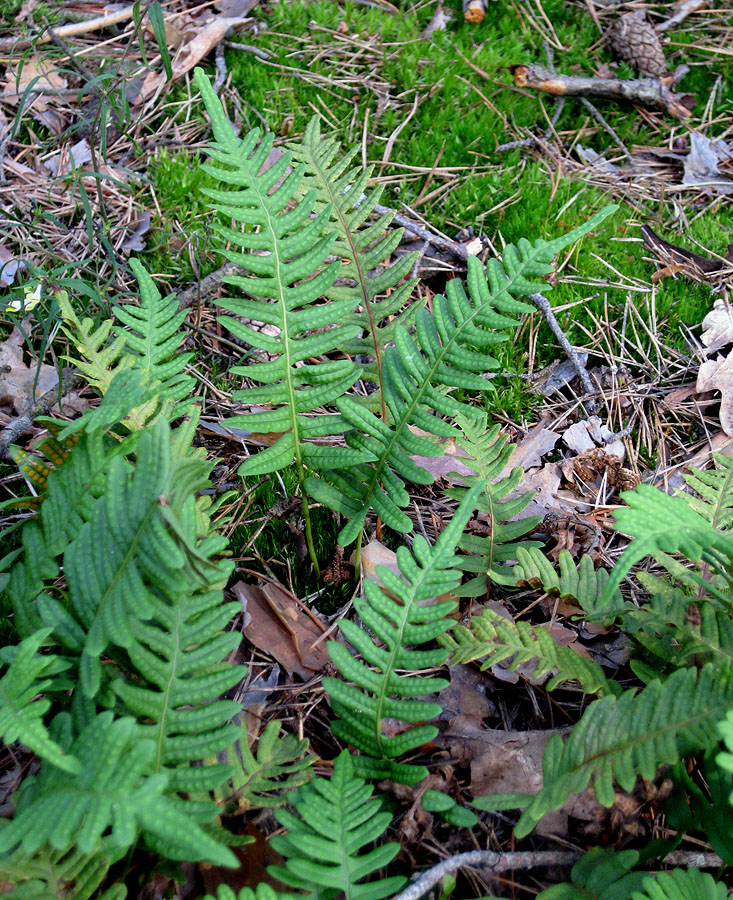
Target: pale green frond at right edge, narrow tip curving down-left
x,y
647,519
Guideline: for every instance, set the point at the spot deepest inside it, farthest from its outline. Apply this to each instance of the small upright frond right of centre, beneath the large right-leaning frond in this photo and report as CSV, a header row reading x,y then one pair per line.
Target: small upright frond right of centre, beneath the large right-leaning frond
x,y
488,454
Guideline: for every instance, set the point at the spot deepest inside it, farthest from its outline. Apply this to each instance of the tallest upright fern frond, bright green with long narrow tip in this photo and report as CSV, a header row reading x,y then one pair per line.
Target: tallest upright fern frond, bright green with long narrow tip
x,y
285,251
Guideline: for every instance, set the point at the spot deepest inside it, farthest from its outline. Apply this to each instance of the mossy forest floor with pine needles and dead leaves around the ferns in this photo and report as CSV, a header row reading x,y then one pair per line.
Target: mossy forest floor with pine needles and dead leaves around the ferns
x,y
99,160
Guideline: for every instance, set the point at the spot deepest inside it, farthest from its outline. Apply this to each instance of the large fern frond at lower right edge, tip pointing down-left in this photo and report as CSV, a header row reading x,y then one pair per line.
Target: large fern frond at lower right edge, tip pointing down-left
x,y
618,738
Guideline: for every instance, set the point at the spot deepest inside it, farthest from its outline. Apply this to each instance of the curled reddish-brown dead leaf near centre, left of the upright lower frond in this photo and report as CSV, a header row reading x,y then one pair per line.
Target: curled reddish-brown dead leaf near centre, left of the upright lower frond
x,y
280,628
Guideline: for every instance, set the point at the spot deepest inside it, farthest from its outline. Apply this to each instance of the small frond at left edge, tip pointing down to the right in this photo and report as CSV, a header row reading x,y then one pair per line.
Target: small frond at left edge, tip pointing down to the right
x,y
21,710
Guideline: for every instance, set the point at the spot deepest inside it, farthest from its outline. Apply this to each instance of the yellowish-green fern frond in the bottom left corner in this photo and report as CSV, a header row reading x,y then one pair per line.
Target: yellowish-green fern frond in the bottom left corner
x,y
54,875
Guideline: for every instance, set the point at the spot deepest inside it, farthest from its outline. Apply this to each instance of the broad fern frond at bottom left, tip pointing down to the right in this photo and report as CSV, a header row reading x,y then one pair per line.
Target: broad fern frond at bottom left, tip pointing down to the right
x,y
113,791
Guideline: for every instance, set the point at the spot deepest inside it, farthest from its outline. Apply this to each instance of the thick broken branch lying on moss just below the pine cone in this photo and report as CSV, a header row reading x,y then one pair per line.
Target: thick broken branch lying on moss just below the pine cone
x,y
647,91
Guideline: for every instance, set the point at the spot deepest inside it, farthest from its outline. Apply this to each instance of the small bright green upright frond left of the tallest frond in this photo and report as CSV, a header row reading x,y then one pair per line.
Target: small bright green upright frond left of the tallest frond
x,y
152,336
